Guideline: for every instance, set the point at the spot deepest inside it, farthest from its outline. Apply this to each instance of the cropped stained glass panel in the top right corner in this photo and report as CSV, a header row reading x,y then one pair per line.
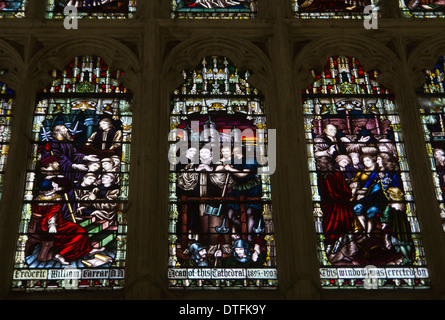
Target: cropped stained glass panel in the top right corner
x,y
422,8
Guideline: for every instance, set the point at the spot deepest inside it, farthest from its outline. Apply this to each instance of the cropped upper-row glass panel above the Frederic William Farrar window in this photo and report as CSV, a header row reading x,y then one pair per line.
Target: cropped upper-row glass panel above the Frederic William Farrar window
x,y
103,9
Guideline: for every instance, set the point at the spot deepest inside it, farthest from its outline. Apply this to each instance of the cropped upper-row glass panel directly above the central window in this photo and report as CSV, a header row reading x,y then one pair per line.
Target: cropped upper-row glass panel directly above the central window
x,y
214,9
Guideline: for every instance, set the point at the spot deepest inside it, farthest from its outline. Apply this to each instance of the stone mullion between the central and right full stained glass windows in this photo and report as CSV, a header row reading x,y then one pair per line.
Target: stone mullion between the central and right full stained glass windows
x,y
294,227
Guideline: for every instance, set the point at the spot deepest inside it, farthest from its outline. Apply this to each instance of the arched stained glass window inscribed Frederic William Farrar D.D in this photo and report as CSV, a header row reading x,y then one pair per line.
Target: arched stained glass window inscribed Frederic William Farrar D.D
x,y
73,223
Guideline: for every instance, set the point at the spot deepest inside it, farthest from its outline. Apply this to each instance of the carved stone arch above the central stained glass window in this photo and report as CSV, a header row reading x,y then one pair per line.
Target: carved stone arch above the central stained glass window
x,y
243,54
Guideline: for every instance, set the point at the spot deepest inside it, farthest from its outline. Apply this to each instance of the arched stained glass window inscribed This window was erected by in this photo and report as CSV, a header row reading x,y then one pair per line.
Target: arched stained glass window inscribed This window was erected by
x,y
364,212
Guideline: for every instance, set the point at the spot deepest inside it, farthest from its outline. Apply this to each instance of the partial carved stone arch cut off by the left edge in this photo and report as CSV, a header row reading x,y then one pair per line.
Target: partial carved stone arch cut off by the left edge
x,y
11,60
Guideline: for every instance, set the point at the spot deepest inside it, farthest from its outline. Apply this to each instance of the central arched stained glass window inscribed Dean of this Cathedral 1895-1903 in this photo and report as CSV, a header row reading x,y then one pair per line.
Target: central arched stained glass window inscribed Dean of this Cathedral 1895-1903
x,y
220,211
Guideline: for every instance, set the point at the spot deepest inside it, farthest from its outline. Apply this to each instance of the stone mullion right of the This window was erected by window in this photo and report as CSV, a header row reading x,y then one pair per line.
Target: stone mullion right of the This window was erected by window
x,y
427,210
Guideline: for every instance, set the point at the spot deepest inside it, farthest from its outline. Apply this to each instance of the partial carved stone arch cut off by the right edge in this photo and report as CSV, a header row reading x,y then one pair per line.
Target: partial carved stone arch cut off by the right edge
x,y
423,57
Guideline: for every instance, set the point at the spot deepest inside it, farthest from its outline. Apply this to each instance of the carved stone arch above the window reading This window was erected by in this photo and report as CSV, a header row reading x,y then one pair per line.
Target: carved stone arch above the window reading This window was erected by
x,y
371,53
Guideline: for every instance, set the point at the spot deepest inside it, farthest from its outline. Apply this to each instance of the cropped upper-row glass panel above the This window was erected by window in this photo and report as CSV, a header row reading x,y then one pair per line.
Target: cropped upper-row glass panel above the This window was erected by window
x,y
336,9
